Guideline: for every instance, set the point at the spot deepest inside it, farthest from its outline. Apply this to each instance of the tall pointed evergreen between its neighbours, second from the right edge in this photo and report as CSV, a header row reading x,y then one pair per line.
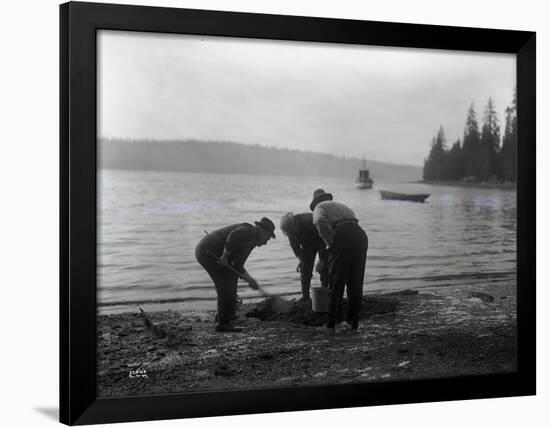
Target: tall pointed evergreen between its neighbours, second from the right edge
x,y
489,144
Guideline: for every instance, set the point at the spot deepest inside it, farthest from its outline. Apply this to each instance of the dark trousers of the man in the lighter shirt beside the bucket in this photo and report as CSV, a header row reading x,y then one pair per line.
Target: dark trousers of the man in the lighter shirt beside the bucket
x,y
347,258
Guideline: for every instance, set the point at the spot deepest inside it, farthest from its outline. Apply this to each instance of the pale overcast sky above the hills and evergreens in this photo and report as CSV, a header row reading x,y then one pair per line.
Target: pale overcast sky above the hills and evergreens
x,y
379,103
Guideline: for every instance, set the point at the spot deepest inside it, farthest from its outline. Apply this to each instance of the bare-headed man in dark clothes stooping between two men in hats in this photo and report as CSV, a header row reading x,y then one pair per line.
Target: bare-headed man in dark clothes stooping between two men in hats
x,y
305,243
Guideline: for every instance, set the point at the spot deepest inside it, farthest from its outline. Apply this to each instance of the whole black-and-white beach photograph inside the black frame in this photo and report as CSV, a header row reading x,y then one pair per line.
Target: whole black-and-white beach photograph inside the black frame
x,y
279,213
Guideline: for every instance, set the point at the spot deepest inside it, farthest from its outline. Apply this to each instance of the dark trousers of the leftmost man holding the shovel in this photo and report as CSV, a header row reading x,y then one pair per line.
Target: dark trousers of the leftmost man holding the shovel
x,y
224,280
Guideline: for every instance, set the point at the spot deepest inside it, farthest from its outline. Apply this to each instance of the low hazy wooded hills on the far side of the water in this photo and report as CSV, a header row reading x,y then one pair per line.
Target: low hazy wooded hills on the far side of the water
x,y
226,157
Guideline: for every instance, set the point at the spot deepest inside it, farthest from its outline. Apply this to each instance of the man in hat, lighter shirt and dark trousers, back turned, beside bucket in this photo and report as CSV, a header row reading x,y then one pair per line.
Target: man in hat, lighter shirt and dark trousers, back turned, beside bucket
x,y
347,245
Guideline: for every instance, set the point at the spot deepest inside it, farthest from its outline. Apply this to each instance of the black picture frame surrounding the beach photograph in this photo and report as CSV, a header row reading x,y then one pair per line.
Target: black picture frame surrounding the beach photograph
x,y
79,23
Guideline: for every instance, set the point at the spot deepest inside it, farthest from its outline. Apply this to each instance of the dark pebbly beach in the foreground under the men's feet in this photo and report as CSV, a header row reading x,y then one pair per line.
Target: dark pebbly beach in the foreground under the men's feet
x,y
433,332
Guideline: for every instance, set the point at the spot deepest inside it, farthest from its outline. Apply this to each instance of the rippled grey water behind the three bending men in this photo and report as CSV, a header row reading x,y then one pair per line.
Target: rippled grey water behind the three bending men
x,y
150,222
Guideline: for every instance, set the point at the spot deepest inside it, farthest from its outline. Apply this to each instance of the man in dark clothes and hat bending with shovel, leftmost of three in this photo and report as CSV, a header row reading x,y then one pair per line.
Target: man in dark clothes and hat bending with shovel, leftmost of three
x,y
222,253
